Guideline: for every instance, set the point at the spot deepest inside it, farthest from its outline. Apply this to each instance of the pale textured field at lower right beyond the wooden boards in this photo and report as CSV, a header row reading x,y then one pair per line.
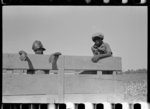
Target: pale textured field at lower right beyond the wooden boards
x,y
136,87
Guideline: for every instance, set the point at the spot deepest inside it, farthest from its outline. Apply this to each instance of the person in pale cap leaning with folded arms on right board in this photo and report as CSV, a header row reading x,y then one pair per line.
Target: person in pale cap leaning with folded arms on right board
x,y
100,49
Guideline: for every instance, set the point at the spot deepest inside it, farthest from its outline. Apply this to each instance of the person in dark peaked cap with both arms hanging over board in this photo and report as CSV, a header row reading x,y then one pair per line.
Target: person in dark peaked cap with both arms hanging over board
x,y
38,48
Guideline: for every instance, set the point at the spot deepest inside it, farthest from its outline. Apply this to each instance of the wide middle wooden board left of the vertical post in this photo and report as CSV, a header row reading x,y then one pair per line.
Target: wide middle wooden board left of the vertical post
x,y
29,84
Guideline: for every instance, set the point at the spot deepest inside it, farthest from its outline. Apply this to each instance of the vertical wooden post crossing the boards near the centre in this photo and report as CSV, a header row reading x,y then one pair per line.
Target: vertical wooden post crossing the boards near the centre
x,y
61,80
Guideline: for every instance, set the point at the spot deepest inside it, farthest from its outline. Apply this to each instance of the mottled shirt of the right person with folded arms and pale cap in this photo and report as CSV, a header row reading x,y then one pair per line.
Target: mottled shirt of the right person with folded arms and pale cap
x,y
103,49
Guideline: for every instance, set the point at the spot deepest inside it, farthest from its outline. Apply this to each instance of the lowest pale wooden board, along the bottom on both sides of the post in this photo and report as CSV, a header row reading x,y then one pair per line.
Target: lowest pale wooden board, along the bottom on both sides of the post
x,y
74,98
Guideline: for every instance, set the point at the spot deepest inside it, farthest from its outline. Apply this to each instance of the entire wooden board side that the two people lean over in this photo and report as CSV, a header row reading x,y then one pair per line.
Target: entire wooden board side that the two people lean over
x,y
57,86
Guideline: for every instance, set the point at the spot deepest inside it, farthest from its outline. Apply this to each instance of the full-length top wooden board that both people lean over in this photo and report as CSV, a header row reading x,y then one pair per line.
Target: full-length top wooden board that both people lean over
x,y
12,61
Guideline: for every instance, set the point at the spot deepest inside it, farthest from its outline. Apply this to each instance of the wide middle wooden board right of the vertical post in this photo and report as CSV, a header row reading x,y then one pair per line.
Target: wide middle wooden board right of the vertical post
x,y
84,85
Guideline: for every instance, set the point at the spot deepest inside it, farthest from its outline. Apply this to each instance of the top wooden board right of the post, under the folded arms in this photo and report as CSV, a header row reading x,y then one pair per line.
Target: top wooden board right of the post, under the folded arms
x,y
84,62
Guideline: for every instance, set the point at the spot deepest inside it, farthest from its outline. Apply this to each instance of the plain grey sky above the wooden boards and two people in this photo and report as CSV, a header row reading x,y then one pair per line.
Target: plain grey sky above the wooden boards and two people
x,y
69,29
